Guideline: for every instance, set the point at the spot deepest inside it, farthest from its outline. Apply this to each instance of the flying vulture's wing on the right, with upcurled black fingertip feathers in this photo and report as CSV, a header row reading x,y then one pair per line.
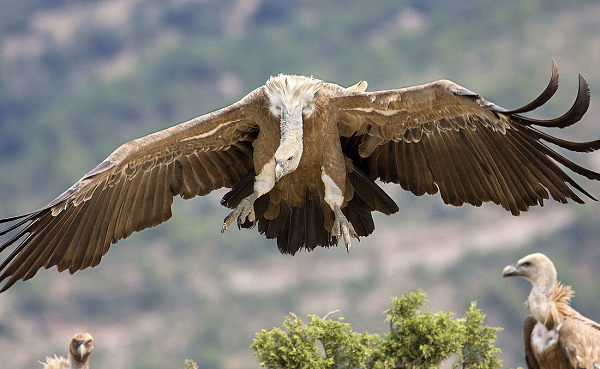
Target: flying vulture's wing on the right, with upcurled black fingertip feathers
x,y
443,136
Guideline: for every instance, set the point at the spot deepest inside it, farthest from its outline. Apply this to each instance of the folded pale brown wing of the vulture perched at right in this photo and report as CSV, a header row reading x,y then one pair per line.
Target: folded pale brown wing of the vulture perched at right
x,y
579,338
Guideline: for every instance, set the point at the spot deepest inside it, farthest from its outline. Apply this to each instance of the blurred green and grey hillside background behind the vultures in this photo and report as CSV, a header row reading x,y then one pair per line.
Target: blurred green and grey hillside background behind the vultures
x,y
79,78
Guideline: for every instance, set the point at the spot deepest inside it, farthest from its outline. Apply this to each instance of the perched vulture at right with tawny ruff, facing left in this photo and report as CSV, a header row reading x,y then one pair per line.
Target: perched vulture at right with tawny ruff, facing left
x,y
555,335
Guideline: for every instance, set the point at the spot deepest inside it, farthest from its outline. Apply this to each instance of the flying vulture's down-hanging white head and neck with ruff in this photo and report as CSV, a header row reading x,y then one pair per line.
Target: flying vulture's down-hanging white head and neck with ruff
x,y
291,99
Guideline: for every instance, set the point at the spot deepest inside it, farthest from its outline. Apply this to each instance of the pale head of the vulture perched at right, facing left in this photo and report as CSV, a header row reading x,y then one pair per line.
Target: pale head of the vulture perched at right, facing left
x,y
536,268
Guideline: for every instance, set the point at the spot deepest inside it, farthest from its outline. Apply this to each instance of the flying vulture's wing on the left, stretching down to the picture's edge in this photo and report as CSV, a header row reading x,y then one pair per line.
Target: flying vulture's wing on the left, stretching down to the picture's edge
x,y
133,189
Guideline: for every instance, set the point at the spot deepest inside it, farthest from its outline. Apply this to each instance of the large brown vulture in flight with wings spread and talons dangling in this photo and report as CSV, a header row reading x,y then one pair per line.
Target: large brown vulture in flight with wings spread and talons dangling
x,y
301,157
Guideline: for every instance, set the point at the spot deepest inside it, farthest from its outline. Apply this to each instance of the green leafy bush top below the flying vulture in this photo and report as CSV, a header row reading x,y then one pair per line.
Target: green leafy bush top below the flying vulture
x,y
417,339
